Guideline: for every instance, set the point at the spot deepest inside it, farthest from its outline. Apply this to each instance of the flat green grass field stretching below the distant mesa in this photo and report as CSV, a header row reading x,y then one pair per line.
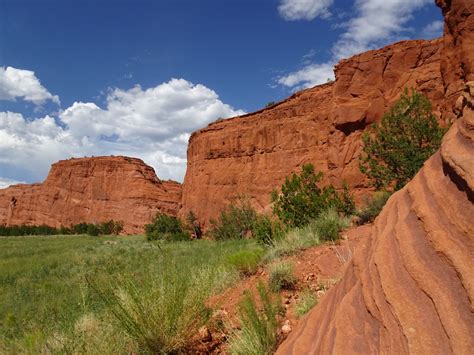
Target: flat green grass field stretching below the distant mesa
x,y
52,289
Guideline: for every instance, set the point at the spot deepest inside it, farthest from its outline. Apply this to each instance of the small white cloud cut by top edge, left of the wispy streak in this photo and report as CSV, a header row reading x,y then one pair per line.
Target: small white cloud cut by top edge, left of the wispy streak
x,y
292,10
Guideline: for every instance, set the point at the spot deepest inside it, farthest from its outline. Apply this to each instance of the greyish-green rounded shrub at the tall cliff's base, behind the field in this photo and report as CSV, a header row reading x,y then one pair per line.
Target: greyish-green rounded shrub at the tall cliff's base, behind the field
x,y
236,221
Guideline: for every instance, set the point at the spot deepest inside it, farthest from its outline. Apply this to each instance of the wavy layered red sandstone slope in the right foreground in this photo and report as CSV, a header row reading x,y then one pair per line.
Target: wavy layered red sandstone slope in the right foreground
x,y
410,287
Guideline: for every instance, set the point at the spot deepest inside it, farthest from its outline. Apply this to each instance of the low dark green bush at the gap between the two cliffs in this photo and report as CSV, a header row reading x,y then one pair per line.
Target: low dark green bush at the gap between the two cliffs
x,y
168,228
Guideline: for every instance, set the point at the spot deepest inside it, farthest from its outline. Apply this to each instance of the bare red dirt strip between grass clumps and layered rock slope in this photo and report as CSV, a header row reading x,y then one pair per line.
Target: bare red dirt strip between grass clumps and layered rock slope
x,y
316,269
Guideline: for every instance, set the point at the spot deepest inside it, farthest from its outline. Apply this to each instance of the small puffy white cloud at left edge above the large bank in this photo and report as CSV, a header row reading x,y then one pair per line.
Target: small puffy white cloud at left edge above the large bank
x,y
19,83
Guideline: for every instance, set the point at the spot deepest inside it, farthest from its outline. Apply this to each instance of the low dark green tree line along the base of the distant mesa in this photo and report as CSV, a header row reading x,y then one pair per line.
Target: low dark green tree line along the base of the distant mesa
x,y
107,228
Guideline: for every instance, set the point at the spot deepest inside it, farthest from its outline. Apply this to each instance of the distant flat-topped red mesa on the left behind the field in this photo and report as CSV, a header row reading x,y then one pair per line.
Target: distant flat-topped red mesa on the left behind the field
x,y
92,190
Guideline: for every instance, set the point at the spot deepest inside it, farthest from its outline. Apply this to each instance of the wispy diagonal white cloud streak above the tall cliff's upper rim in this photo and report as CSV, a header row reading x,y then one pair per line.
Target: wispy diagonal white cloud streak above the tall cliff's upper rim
x,y
376,23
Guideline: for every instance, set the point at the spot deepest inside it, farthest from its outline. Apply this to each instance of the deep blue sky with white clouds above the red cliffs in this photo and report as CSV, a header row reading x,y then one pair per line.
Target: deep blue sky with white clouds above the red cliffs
x,y
137,77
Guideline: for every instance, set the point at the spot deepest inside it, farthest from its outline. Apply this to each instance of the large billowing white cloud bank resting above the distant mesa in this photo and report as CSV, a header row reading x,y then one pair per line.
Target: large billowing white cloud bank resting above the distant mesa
x,y
153,124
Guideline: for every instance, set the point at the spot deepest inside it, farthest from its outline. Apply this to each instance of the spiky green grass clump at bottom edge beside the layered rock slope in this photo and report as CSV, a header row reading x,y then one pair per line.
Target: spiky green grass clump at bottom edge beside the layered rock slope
x,y
259,327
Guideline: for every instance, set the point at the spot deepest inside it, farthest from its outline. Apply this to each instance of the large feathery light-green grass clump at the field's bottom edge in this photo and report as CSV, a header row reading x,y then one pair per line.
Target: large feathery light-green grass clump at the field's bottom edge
x,y
162,316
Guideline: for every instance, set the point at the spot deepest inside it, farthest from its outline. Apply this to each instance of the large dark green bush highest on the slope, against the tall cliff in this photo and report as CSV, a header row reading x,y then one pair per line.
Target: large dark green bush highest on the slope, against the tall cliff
x,y
397,148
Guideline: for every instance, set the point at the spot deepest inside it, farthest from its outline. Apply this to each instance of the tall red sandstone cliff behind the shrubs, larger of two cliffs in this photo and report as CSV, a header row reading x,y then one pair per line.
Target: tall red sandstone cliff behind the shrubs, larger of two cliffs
x,y
251,154
